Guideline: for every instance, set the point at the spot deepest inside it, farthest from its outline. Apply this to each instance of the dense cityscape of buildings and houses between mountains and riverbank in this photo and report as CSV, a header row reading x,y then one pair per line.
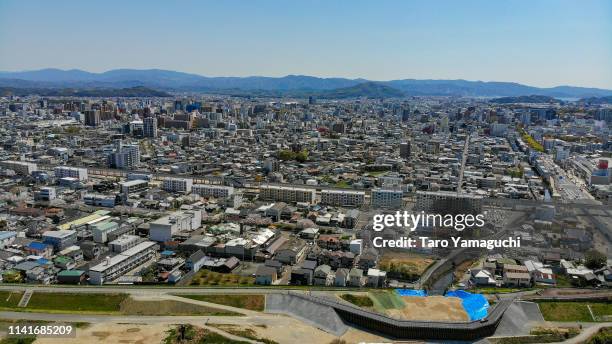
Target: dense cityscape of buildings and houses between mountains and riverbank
x,y
215,190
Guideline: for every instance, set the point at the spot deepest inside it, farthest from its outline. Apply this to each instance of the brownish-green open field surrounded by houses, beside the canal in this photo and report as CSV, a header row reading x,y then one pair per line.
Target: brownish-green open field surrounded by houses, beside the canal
x,y
405,266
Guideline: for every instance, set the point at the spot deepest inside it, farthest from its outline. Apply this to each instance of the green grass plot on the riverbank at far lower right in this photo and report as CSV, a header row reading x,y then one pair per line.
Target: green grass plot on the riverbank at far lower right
x,y
574,311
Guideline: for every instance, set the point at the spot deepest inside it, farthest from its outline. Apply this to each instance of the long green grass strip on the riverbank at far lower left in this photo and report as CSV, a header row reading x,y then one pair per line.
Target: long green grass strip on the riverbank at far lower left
x,y
73,303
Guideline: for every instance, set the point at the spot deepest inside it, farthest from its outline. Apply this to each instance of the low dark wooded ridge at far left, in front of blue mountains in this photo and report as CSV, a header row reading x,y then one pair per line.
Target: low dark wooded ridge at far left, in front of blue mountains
x,y
73,92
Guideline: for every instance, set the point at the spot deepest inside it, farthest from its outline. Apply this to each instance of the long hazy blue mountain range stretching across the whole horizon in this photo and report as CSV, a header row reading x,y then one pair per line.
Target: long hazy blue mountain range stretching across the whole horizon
x,y
287,85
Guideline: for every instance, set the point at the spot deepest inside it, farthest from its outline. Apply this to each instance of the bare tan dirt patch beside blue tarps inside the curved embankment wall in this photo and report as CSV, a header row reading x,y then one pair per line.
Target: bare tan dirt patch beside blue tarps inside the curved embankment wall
x,y
430,308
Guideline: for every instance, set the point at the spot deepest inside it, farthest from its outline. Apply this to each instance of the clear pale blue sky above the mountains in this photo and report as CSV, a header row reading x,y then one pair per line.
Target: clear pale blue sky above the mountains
x,y
540,43
